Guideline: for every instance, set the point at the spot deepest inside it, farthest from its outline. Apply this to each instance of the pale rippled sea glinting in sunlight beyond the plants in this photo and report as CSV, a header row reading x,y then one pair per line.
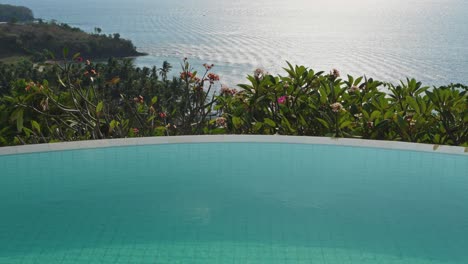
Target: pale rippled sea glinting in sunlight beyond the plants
x,y
387,40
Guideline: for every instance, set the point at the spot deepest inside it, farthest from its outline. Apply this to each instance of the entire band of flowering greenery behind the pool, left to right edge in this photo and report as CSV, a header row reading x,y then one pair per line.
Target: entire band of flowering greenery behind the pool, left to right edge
x,y
81,100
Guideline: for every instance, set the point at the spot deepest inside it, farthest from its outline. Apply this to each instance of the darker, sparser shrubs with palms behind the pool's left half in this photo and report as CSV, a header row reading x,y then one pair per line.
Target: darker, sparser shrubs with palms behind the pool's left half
x,y
84,100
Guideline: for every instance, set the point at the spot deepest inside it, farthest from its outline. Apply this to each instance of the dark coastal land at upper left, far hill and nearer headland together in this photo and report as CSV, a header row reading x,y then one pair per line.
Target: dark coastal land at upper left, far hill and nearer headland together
x,y
24,37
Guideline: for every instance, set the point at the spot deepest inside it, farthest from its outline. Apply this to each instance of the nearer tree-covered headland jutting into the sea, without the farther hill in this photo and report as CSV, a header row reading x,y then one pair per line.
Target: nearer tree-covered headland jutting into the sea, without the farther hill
x,y
42,40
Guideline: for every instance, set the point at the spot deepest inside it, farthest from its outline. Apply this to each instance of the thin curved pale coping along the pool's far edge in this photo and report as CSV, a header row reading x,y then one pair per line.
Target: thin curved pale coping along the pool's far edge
x,y
105,143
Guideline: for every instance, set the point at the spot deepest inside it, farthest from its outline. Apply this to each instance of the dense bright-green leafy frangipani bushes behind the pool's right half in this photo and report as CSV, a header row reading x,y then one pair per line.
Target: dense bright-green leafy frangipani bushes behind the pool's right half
x,y
311,103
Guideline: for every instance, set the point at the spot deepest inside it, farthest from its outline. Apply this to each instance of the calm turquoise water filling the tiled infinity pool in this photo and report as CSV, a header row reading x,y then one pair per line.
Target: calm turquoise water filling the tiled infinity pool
x,y
234,203
